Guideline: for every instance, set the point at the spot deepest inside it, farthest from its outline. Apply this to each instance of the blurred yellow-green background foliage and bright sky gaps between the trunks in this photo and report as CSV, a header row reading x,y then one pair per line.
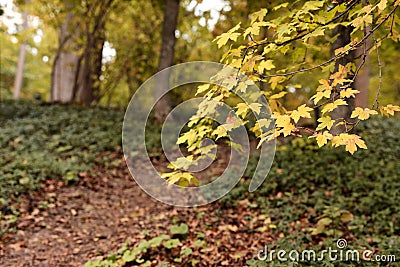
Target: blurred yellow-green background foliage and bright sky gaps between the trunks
x,y
132,45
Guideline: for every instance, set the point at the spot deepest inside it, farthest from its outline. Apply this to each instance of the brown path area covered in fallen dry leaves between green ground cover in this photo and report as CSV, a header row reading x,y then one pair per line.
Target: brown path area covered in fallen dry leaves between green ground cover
x,y
69,225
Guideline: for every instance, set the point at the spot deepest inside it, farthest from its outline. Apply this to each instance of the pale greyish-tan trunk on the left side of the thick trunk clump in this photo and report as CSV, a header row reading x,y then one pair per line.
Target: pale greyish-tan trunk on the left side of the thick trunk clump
x,y
65,66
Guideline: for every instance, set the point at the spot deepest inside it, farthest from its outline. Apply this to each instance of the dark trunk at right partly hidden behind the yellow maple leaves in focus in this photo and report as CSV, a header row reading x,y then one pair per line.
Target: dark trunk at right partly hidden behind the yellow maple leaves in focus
x,y
341,113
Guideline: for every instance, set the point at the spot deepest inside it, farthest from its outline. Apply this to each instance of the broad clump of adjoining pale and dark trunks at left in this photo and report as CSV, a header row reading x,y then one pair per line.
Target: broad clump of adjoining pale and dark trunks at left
x,y
77,77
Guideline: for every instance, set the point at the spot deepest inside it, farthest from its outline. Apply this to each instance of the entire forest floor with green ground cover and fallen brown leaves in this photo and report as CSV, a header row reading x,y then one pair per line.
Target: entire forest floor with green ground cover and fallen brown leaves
x,y
67,198
